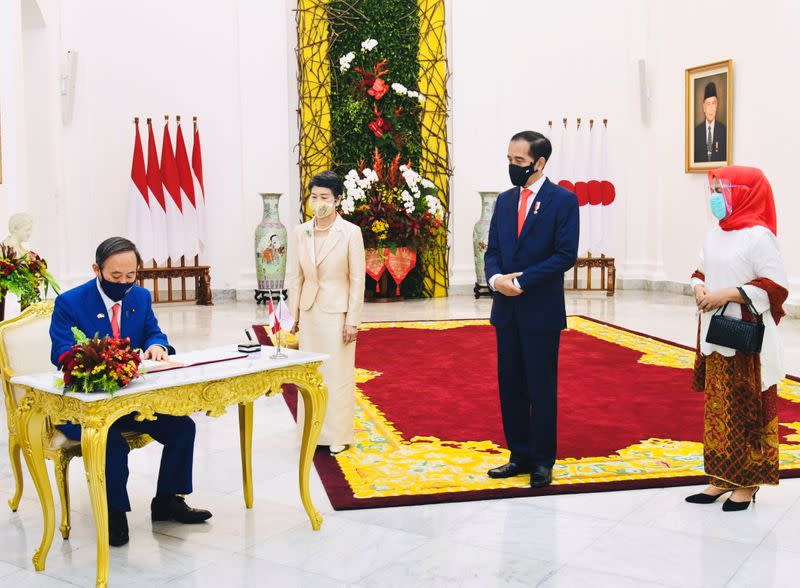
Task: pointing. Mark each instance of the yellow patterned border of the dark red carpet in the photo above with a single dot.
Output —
(383, 464)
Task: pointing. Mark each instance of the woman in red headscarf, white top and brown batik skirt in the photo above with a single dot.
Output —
(740, 264)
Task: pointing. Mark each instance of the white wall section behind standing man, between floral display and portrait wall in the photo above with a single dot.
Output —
(518, 64)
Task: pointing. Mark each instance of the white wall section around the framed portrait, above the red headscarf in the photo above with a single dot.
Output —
(763, 43)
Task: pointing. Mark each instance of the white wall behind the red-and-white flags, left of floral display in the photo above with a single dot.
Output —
(225, 62)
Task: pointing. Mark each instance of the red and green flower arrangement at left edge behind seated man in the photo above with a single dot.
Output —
(25, 276)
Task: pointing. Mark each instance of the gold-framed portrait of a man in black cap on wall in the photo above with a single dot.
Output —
(709, 116)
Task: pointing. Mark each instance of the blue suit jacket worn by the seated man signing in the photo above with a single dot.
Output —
(83, 307)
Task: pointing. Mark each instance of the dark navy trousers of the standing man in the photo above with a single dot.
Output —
(527, 373)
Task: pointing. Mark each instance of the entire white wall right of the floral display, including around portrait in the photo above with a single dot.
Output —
(517, 64)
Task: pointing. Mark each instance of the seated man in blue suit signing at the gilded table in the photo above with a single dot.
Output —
(112, 304)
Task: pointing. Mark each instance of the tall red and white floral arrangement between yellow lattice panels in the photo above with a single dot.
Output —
(393, 204)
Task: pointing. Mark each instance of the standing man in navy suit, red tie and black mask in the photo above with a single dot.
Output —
(533, 241)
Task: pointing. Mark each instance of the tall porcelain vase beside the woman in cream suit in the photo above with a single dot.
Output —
(270, 243)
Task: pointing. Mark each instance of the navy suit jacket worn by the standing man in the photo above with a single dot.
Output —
(545, 249)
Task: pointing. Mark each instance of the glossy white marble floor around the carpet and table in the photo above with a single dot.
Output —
(615, 539)
